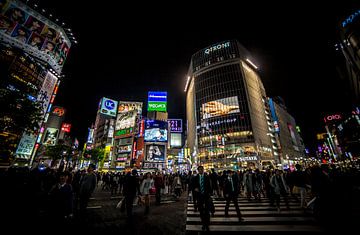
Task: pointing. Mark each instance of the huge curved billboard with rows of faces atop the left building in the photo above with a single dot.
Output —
(25, 28)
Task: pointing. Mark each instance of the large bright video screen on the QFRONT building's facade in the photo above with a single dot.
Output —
(220, 107)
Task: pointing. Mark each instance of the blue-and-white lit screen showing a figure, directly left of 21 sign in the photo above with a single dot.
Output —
(155, 131)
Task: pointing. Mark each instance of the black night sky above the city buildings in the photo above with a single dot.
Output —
(126, 50)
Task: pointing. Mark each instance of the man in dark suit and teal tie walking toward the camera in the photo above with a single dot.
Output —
(202, 187)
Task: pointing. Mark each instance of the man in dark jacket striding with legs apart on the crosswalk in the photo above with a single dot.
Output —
(231, 192)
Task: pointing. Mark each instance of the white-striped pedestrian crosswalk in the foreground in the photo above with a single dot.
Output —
(259, 216)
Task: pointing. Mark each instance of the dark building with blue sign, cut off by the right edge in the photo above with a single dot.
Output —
(349, 45)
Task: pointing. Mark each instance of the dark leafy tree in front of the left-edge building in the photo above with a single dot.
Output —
(19, 113)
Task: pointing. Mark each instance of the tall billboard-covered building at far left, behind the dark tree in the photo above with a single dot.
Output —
(33, 50)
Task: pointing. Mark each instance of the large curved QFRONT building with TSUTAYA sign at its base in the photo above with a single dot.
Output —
(225, 109)
